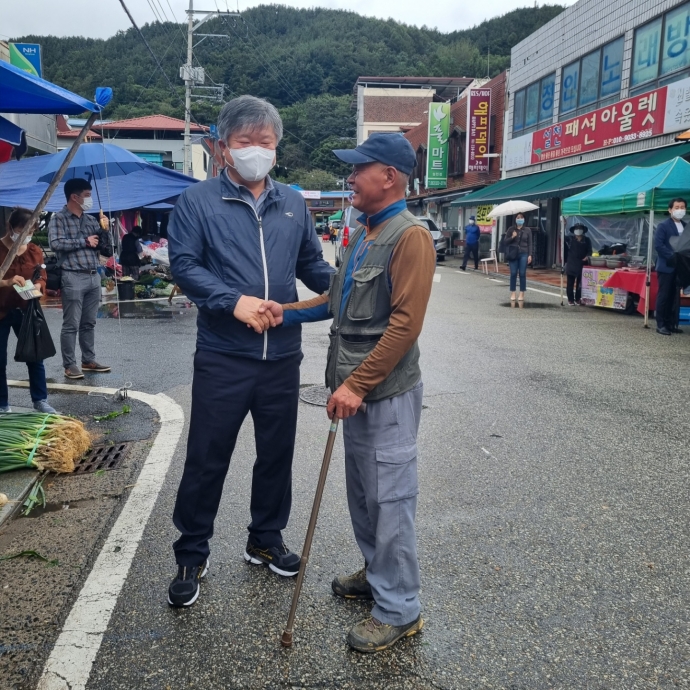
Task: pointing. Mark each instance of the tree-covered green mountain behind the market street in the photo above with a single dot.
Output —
(305, 61)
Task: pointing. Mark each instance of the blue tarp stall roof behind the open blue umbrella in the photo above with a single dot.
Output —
(152, 184)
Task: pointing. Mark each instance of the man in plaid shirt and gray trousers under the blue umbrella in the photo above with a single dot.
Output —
(73, 236)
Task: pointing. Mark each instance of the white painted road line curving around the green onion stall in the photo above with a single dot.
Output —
(69, 664)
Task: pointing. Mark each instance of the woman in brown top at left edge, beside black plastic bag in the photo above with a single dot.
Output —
(12, 307)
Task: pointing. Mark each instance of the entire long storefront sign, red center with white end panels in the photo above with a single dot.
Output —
(651, 114)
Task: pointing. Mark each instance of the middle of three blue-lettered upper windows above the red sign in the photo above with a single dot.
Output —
(592, 81)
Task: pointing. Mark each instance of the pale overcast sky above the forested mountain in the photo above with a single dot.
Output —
(103, 18)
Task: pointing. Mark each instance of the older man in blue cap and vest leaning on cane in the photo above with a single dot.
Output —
(377, 301)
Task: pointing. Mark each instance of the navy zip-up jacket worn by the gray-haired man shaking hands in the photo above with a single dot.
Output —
(220, 249)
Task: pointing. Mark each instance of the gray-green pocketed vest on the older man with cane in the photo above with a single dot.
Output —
(356, 330)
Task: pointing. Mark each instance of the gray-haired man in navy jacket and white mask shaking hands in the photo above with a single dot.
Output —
(236, 241)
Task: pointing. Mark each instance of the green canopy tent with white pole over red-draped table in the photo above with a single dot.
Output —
(634, 190)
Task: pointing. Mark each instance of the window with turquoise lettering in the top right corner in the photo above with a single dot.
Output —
(661, 53)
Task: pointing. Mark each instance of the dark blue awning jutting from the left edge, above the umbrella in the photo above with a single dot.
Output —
(21, 92)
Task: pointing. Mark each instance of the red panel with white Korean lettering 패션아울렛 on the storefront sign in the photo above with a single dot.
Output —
(633, 119)
